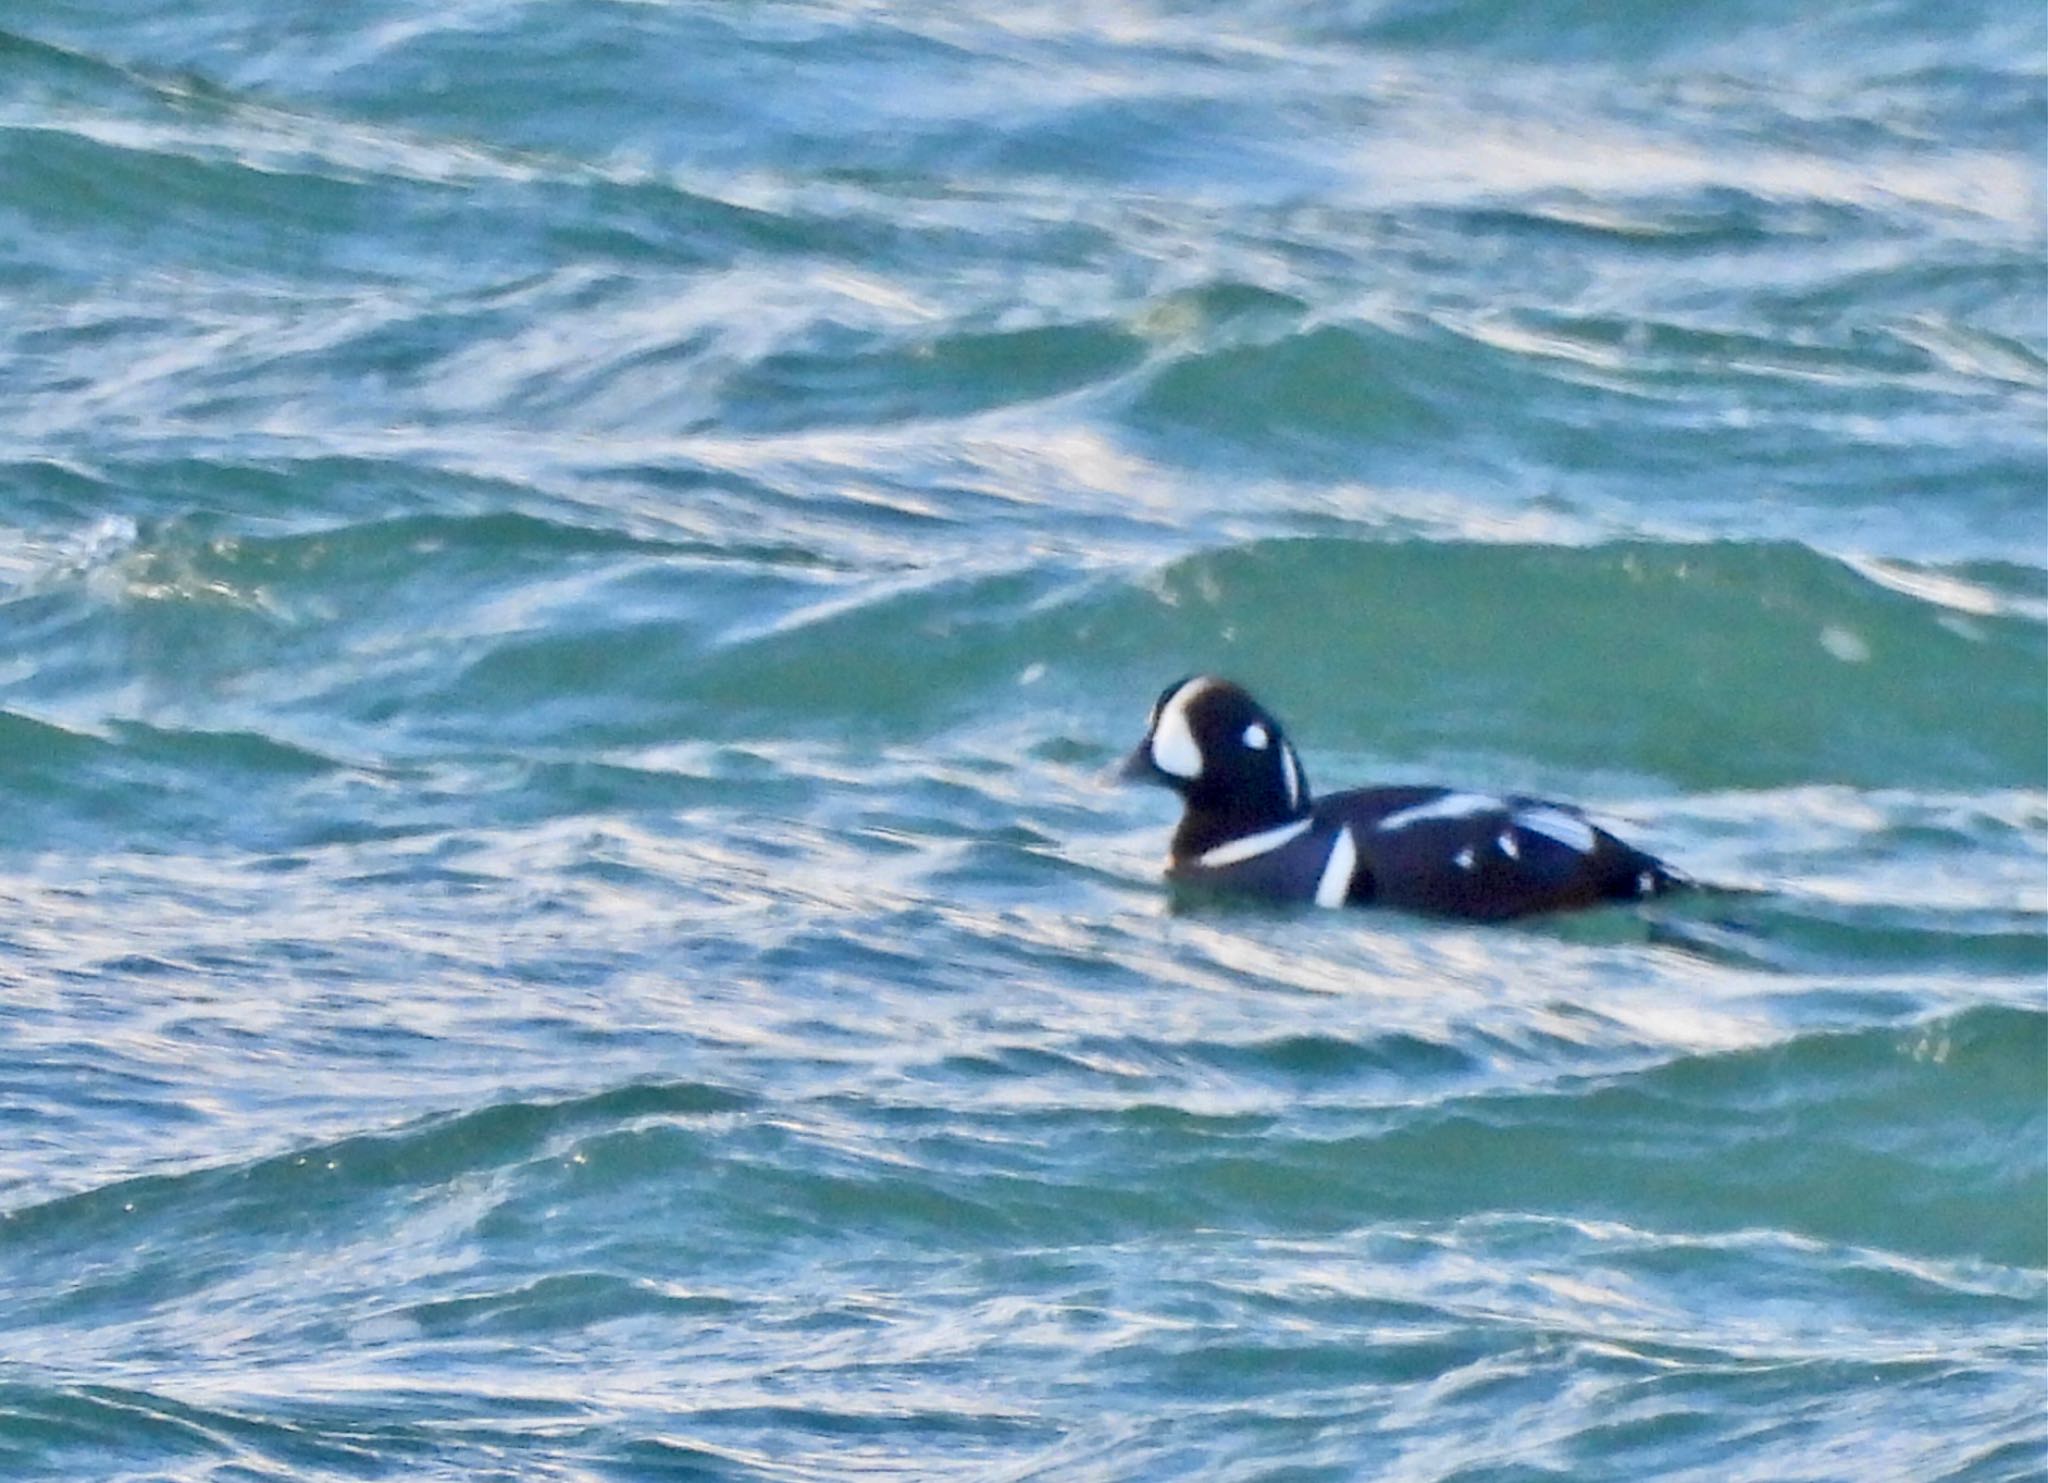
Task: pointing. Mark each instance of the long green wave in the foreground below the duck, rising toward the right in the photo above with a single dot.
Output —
(1920, 1140)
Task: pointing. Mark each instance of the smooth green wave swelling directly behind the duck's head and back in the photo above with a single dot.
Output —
(1695, 665)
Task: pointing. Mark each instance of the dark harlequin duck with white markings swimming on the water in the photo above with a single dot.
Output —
(1252, 829)
